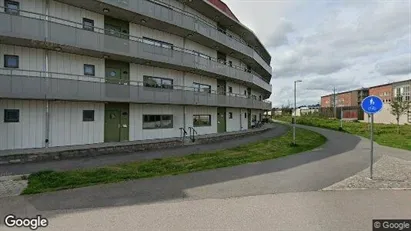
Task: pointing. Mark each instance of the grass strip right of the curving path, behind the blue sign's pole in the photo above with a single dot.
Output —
(384, 134)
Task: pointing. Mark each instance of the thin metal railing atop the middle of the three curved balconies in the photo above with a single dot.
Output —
(204, 59)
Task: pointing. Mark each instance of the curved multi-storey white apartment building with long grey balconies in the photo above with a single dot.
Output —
(83, 72)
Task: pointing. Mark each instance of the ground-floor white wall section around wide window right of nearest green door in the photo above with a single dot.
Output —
(136, 121)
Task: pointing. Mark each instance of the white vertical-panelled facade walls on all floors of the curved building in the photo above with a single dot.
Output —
(64, 123)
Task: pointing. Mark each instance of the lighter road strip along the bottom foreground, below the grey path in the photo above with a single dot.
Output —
(339, 211)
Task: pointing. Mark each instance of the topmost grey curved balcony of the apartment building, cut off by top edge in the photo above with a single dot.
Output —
(180, 22)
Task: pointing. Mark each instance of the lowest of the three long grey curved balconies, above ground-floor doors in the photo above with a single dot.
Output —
(26, 84)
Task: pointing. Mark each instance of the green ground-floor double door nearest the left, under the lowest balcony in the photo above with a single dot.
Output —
(116, 122)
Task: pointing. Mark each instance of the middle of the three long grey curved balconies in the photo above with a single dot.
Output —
(32, 29)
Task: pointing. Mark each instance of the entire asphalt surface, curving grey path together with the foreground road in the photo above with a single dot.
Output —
(280, 194)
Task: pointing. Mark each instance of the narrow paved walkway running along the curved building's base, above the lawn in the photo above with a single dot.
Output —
(98, 161)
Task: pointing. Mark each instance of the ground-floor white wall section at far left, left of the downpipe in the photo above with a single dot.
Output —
(29, 131)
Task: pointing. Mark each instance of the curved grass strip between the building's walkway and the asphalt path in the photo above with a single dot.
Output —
(46, 181)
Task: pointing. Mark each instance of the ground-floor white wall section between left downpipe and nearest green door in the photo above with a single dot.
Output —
(68, 128)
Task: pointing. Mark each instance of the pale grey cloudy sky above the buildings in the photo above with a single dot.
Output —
(346, 44)
